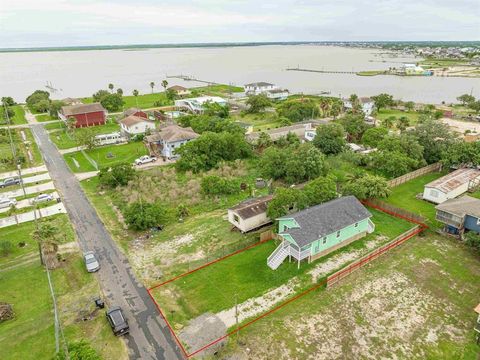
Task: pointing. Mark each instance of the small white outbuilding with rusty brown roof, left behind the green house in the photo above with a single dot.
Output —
(250, 214)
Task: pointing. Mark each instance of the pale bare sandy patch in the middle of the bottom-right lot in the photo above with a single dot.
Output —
(388, 314)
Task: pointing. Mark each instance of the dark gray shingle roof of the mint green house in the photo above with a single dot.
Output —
(324, 219)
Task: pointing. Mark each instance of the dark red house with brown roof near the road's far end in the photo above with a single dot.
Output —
(85, 114)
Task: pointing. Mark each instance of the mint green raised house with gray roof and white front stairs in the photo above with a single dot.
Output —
(316, 231)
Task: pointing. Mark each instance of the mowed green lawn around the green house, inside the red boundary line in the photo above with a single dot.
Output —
(246, 275)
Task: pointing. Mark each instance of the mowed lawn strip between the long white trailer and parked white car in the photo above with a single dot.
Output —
(105, 156)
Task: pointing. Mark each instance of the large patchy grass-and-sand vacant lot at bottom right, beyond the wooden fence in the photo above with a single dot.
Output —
(414, 303)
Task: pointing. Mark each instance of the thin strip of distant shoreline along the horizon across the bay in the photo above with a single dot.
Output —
(375, 44)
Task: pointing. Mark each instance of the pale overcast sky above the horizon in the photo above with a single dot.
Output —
(38, 23)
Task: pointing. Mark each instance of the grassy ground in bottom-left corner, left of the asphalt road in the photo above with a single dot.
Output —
(24, 285)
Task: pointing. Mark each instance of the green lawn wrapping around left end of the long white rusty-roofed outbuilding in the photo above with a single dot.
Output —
(404, 196)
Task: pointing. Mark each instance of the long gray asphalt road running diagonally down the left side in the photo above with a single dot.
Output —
(149, 336)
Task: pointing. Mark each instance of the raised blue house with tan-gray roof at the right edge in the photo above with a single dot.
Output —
(460, 215)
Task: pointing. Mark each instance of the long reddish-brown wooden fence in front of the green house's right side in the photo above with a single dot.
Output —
(347, 270)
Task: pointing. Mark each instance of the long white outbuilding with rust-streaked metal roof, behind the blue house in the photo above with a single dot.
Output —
(452, 185)
